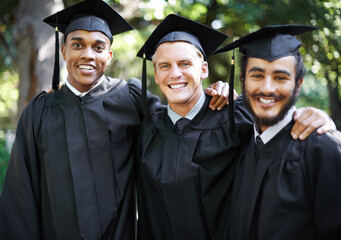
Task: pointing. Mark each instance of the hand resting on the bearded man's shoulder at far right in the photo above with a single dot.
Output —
(307, 120)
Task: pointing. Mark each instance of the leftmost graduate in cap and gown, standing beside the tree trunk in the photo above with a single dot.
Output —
(71, 172)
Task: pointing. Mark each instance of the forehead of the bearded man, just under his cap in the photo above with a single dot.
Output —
(287, 63)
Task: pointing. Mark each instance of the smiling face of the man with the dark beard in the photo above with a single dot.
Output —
(270, 89)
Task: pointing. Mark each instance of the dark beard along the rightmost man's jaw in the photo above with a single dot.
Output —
(267, 122)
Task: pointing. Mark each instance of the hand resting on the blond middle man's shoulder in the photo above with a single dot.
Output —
(220, 95)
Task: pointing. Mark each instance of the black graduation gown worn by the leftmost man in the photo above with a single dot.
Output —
(71, 172)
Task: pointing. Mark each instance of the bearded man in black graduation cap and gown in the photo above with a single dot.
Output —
(284, 188)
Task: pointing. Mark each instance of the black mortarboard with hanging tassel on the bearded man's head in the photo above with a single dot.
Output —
(269, 43)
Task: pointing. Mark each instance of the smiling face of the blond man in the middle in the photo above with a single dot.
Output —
(179, 71)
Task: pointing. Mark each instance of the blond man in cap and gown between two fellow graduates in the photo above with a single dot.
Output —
(187, 168)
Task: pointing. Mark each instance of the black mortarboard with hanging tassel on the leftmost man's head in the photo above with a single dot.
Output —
(89, 15)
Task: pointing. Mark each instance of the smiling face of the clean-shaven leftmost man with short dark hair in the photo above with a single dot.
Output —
(87, 55)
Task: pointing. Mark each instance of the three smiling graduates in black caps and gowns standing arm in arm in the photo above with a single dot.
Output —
(101, 158)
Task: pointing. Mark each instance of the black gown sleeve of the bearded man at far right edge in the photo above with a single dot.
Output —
(322, 170)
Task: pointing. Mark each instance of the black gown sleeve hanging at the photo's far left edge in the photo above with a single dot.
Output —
(19, 201)
